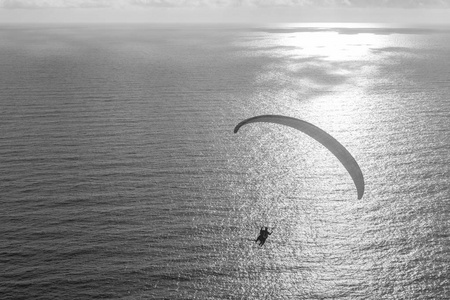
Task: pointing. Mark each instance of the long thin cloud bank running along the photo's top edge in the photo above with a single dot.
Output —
(35, 4)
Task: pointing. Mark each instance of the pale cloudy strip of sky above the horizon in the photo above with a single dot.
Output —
(224, 11)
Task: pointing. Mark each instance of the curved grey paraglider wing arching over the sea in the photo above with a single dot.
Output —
(322, 137)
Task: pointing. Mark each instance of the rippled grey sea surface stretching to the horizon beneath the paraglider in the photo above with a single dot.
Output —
(121, 177)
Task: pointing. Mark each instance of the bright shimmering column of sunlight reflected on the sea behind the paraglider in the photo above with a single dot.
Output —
(325, 76)
